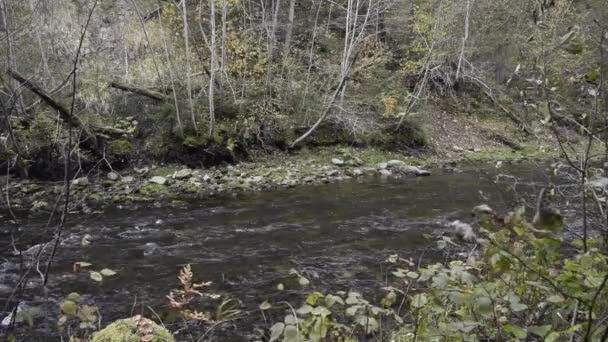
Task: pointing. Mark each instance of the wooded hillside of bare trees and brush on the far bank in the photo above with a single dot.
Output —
(201, 82)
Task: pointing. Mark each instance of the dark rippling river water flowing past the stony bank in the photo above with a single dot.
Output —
(335, 234)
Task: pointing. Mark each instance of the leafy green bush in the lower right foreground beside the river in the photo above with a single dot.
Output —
(521, 288)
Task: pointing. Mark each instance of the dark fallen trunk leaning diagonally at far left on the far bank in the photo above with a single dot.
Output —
(90, 141)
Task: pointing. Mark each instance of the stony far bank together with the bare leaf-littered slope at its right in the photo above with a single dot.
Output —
(453, 142)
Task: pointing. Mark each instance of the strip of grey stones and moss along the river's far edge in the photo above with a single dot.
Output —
(173, 185)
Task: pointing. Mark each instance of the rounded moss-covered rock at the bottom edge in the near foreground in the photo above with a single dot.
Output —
(133, 329)
